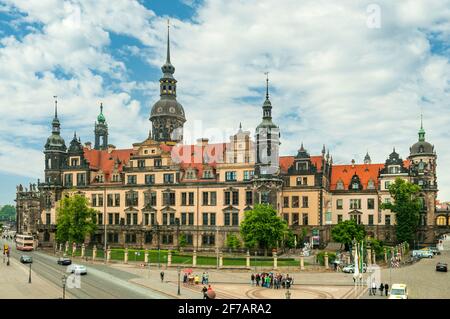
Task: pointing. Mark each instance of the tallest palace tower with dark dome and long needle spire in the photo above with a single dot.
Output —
(167, 115)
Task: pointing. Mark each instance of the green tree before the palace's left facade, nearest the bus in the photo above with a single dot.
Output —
(75, 219)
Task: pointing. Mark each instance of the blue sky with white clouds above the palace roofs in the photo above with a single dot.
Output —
(353, 75)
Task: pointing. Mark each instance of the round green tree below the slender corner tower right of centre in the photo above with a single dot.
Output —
(262, 227)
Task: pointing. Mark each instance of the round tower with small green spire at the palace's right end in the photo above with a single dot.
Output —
(423, 173)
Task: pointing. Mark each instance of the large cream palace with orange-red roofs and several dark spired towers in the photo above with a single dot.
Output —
(159, 188)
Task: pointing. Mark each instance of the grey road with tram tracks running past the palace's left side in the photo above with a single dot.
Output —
(101, 282)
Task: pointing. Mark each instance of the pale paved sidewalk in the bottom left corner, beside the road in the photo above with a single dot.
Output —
(14, 283)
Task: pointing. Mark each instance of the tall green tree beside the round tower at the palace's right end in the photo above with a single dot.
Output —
(406, 206)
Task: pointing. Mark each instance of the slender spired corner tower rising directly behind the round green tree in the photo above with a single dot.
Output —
(267, 181)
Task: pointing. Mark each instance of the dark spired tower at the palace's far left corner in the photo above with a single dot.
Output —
(55, 152)
